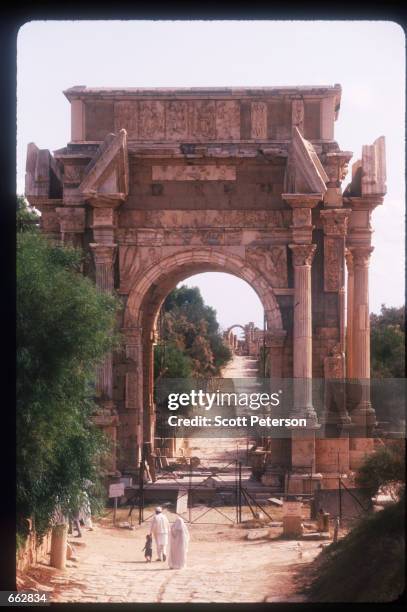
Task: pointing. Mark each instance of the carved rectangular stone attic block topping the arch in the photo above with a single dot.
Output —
(199, 114)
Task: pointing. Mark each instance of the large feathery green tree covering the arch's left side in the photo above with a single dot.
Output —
(64, 328)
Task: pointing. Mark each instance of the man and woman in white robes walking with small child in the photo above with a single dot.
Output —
(176, 536)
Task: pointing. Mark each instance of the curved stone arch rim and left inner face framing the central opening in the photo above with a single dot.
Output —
(146, 297)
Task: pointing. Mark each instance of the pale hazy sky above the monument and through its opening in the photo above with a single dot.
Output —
(366, 58)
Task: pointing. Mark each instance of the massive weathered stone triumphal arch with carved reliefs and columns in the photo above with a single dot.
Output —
(160, 184)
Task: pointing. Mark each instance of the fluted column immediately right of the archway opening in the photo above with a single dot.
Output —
(303, 255)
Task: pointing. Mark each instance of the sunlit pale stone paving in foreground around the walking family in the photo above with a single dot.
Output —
(222, 567)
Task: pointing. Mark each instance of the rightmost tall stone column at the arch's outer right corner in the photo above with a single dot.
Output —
(363, 413)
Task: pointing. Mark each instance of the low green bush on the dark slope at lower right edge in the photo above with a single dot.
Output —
(384, 467)
